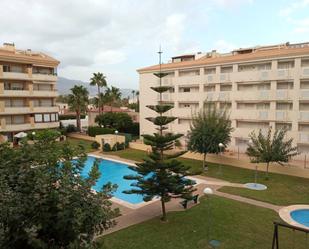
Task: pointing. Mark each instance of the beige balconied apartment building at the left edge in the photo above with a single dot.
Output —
(27, 91)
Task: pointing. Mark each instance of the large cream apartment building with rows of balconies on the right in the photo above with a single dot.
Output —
(260, 86)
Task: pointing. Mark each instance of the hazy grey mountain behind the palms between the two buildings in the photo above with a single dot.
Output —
(64, 85)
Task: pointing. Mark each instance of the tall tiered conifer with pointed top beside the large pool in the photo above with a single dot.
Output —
(160, 174)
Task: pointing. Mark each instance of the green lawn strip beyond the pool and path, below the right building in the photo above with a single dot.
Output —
(282, 189)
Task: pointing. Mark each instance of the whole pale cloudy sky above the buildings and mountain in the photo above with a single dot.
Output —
(117, 37)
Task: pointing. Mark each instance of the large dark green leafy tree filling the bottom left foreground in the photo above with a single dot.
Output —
(44, 200)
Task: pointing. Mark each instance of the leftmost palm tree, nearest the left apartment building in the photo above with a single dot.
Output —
(78, 101)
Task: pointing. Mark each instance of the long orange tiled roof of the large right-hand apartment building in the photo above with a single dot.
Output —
(256, 55)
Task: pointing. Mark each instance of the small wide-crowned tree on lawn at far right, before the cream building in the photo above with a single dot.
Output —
(271, 148)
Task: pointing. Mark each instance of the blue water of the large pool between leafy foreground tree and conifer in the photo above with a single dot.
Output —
(113, 172)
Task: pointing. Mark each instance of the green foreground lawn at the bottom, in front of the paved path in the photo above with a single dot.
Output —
(236, 225)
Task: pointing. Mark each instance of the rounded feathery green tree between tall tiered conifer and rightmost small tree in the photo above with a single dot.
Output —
(209, 128)
